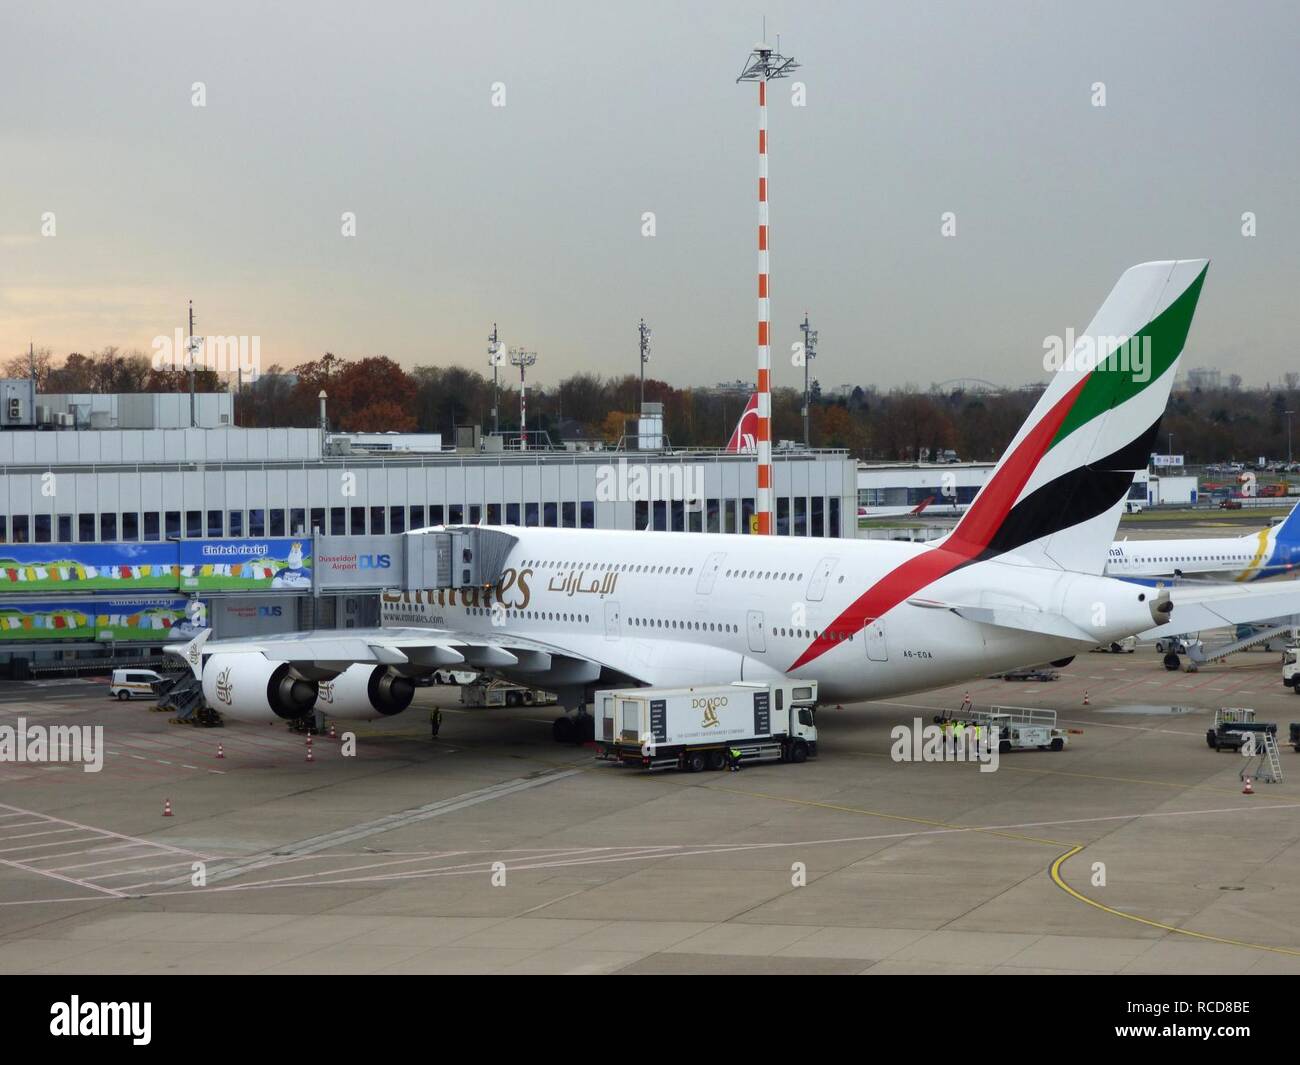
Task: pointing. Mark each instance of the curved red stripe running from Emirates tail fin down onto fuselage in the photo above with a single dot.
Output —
(969, 539)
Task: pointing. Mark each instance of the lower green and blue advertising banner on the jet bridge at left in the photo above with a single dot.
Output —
(125, 621)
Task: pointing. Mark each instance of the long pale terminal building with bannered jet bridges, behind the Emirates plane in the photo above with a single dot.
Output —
(114, 542)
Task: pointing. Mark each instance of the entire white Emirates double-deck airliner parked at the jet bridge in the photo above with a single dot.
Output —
(1020, 579)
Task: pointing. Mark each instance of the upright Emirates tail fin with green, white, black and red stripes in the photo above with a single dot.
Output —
(1056, 495)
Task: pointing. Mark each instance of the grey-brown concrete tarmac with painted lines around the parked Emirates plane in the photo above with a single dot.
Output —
(495, 850)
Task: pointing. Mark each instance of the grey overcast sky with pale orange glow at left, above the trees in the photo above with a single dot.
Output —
(530, 215)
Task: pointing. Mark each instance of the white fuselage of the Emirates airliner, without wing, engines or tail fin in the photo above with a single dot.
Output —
(675, 611)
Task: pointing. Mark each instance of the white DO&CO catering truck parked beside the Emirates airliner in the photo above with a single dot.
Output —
(697, 729)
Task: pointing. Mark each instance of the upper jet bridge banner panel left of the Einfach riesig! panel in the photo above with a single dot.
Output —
(89, 568)
